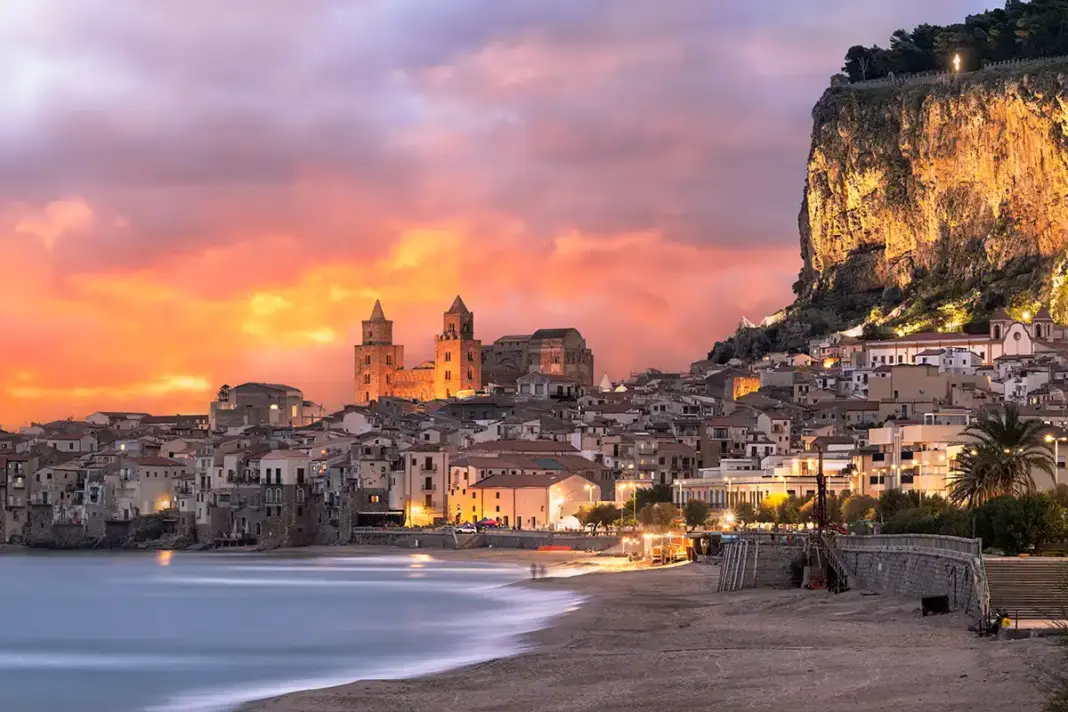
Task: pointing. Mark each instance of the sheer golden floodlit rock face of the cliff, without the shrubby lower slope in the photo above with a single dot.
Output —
(951, 181)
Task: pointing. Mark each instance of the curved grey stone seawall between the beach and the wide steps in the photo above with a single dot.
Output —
(915, 573)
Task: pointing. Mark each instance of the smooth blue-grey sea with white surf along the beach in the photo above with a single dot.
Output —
(207, 632)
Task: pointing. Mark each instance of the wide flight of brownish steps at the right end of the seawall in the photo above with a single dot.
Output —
(1029, 589)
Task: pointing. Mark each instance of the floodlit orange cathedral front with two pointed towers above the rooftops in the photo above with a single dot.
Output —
(457, 370)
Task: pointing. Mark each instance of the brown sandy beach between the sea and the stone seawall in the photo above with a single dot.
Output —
(665, 640)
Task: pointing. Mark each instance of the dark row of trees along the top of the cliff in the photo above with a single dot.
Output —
(1023, 30)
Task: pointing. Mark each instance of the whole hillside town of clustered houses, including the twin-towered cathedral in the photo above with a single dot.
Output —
(519, 433)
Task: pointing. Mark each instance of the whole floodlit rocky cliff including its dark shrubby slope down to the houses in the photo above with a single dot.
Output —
(929, 204)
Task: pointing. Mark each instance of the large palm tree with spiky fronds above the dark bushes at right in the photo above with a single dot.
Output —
(1004, 451)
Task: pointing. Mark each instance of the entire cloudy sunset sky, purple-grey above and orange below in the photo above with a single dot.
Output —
(202, 193)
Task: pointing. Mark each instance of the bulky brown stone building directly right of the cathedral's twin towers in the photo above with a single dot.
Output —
(552, 352)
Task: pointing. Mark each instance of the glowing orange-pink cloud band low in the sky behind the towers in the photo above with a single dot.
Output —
(163, 339)
